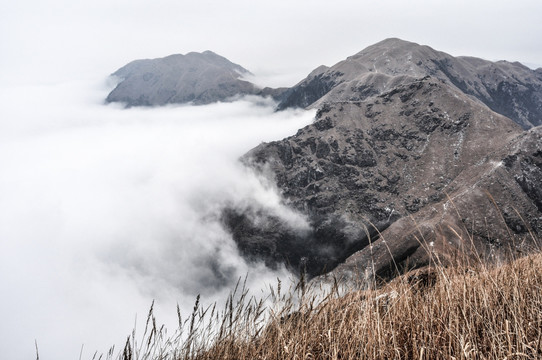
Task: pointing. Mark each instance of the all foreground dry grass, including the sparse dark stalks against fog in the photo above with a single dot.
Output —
(465, 312)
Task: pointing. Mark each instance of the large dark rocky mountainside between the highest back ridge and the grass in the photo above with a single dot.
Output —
(395, 170)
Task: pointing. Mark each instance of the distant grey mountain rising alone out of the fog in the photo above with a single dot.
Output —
(198, 78)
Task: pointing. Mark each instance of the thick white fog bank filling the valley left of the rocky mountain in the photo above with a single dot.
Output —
(104, 209)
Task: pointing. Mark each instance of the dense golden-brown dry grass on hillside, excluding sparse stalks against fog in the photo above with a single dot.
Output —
(474, 314)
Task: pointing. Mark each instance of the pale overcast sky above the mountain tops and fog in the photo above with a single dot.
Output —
(48, 40)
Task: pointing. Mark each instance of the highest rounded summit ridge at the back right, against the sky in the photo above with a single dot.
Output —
(510, 89)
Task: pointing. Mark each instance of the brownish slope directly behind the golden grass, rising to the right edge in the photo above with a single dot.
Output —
(490, 212)
